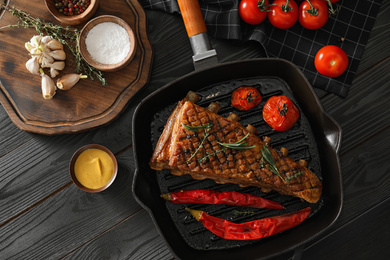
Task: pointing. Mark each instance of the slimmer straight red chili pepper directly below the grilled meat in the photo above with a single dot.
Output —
(234, 198)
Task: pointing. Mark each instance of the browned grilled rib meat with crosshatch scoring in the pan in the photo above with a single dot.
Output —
(183, 151)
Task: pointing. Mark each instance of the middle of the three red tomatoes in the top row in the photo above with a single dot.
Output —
(283, 15)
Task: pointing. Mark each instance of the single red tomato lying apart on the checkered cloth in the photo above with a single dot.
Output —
(331, 61)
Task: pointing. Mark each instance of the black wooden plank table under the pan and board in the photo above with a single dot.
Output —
(45, 216)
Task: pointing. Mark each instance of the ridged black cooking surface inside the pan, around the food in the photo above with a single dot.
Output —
(299, 140)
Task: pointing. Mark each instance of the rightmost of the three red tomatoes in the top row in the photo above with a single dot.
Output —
(313, 16)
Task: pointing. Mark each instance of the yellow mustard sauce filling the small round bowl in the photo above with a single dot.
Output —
(94, 168)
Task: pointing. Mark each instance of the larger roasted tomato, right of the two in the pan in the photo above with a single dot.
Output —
(280, 113)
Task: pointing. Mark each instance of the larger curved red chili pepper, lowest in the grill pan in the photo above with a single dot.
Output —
(250, 230)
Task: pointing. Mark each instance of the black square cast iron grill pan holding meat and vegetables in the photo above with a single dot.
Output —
(315, 138)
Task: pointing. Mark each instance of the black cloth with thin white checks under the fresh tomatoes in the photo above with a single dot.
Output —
(349, 29)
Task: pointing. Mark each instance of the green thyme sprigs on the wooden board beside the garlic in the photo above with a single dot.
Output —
(66, 36)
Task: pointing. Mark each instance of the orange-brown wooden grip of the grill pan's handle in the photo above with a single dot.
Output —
(192, 17)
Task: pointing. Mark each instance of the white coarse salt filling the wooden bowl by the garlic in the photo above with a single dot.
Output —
(108, 43)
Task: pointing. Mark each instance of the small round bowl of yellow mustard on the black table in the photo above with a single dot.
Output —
(93, 168)
